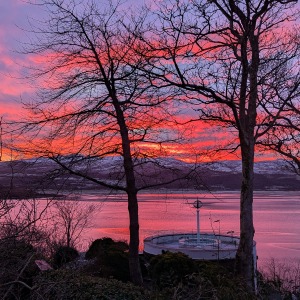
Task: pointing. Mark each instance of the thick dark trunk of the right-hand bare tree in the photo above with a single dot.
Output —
(245, 259)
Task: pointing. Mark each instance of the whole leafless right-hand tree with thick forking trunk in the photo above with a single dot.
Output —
(237, 62)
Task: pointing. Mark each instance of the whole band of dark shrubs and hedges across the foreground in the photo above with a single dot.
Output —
(103, 273)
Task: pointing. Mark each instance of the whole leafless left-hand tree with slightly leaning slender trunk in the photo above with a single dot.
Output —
(94, 102)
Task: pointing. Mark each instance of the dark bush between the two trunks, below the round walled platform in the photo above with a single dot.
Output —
(179, 277)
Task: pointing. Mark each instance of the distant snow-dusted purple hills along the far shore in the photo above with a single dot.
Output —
(25, 177)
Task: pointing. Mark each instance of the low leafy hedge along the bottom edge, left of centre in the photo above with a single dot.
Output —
(67, 284)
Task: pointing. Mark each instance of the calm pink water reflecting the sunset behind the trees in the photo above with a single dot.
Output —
(276, 217)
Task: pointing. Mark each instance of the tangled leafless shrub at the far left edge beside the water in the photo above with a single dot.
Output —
(21, 238)
